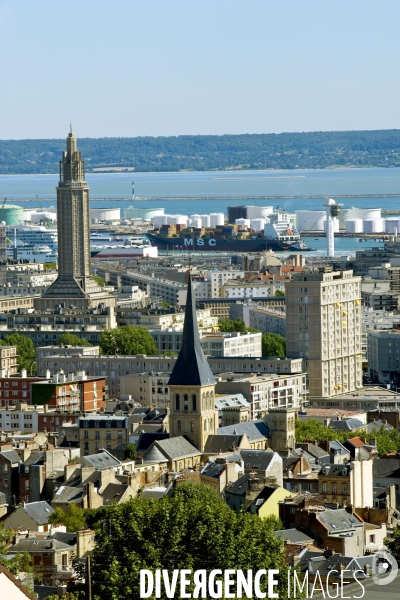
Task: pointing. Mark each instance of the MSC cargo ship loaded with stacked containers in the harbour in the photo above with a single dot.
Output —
(278, 235)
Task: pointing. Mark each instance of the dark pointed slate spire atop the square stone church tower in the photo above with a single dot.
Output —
(191, 367)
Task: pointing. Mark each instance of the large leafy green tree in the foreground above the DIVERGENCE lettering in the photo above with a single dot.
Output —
(195, 530)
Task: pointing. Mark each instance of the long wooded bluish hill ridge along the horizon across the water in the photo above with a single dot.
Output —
(317, 150)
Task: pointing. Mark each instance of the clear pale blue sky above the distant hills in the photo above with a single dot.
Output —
(173, 67)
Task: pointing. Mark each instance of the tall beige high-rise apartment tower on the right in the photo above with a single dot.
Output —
(323, 324)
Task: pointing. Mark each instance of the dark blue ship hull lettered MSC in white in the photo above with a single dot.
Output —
(211, 244)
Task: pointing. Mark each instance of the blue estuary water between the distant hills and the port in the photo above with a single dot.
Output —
(158, 187)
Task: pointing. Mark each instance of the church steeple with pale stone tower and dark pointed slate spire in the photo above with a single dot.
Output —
(192, 385)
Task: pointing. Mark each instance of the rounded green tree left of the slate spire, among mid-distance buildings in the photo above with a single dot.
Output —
(127, 341)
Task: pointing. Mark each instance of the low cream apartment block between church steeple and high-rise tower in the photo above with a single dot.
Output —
(265, 392)
